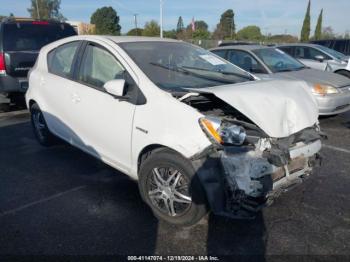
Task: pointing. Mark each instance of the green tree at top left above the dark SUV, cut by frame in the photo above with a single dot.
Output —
(47, 9)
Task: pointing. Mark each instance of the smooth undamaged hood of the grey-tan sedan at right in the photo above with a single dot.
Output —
(314, 76)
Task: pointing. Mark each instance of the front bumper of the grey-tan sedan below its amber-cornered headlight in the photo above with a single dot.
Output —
(334, 104)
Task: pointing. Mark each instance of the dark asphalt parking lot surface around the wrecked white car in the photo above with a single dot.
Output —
(61, 201)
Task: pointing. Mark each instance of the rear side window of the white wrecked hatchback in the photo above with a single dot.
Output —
(60, 60)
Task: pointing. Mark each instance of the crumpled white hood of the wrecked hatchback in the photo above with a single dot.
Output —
(279, 107)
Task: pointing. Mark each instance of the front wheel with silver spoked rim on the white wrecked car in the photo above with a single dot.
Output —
(182, 186)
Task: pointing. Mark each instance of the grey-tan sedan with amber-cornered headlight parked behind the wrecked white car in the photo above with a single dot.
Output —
(332, 91)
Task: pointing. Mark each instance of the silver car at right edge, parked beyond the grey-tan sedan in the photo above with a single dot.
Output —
(319, 57)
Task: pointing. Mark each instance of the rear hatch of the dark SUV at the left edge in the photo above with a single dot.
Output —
(22, 42)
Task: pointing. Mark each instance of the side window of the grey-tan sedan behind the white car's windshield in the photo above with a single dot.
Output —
(245, 61)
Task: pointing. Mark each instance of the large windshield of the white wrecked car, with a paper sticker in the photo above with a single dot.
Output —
(175, 66)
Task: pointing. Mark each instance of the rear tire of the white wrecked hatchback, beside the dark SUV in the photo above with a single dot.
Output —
(41, 131)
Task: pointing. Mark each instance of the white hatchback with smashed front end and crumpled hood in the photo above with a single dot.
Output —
(197, 132)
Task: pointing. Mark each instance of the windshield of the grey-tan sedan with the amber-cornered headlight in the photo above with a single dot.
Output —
(277, 60)
